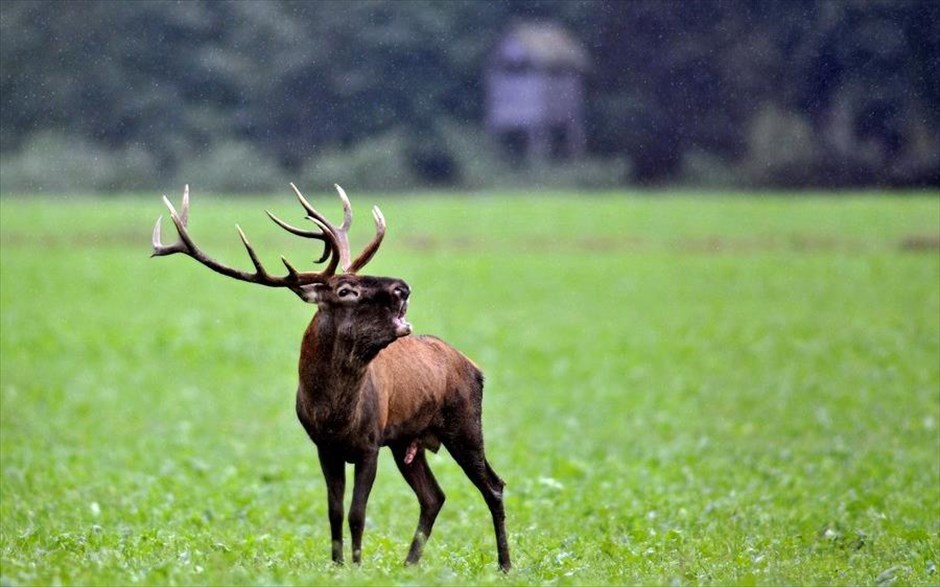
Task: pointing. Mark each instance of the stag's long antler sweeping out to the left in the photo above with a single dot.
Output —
(185, 245)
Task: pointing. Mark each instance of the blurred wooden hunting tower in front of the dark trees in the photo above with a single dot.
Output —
(535, 93)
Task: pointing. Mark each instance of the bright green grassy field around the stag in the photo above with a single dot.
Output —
(681, 390)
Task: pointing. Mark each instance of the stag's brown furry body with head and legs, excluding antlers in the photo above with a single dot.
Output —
(362, 386)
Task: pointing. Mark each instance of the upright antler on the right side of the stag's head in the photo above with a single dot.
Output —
(338, 234)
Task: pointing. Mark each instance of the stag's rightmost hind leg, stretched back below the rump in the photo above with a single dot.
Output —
(470, 457)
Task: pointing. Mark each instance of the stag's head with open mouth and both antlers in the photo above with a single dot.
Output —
(368, 309)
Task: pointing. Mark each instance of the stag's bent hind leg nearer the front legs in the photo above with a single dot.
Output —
(418, 474)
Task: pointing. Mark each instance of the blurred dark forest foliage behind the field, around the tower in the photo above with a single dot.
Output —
(388, 95)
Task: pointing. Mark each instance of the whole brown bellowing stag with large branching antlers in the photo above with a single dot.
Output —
(365, 381)
